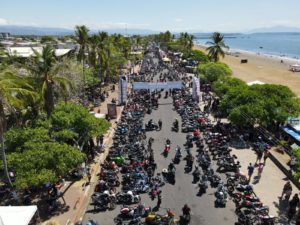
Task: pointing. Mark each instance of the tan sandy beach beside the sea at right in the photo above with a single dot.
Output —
(263, 68)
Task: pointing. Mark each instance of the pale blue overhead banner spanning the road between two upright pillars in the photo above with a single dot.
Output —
(158, 85)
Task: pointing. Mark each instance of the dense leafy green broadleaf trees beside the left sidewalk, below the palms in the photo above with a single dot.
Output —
(40, 153)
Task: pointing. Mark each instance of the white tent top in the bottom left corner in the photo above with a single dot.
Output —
(16, 215)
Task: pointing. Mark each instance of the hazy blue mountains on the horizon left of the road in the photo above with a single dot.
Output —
(40, 31)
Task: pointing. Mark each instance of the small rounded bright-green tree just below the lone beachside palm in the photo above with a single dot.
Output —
(214, 70)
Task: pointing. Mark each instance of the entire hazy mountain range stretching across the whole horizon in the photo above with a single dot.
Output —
(32, 30)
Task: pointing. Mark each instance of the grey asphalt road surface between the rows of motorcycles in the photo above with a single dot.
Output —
(175, 196)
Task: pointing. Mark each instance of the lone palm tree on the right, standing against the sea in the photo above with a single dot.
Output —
(215, 50)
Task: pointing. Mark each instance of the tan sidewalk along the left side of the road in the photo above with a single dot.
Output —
(77, 194)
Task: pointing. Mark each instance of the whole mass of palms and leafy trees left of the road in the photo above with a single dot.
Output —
(40, 148)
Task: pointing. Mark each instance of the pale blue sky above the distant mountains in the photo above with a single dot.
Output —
(156, 15)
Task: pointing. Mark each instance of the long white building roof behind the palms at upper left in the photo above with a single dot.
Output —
(26, 52)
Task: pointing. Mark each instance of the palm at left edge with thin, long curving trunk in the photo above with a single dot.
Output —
(12, 88)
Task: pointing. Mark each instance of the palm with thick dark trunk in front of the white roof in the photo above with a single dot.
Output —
(44, 68)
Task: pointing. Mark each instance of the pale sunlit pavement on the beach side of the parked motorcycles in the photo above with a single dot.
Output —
(270, 185)
